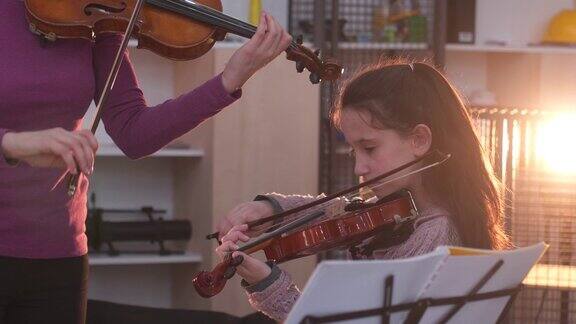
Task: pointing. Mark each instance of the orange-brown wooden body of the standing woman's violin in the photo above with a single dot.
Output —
(166, 33)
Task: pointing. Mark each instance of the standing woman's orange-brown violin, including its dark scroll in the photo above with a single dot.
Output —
(176, 29)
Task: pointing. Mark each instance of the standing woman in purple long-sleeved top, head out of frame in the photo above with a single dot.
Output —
(45, 90)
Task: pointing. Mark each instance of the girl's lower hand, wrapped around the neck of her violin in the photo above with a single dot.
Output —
(251, 269)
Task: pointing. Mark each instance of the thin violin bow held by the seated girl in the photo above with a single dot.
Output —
(440, 157)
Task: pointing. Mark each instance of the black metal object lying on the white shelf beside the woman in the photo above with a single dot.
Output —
(154, 230)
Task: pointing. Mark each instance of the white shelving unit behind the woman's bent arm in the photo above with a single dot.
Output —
(121, 183)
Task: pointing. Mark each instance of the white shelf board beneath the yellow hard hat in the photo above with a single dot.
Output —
(510, 49)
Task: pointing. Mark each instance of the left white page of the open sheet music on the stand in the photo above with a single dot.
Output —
(341, 286)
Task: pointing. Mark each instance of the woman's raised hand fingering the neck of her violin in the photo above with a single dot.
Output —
(267, 43)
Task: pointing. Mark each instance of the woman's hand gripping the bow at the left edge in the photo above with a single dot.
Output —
(52, 148)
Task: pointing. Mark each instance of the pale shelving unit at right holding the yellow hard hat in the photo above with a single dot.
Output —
(522, 73)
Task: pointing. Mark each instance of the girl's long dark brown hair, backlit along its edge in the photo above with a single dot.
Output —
(400, 95)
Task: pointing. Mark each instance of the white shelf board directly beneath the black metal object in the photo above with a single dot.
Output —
(143, 259)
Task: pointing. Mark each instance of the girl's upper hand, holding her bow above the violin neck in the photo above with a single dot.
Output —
(245, 213)
